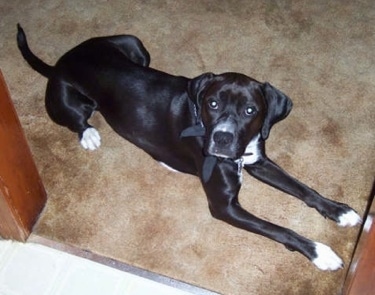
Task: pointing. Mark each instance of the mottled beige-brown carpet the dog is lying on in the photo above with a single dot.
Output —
(119, 203)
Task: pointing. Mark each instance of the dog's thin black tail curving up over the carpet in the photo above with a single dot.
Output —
(35, 62)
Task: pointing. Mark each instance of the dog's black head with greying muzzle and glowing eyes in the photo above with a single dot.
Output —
(234, 109)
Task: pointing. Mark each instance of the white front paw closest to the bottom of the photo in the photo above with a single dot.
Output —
(326, 259)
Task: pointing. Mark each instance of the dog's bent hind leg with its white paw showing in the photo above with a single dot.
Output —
(66, 106)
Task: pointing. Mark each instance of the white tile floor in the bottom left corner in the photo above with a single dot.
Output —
(33, 269)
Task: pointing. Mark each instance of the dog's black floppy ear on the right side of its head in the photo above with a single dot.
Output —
(278, 107)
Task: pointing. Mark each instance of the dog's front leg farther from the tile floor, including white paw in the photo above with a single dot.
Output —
(270, 173)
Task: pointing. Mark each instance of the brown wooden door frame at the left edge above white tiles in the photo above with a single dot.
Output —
(22, 195)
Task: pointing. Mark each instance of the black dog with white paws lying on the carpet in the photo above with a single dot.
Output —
(211, 126)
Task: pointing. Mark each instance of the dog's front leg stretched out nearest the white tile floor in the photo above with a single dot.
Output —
(222, 192)
